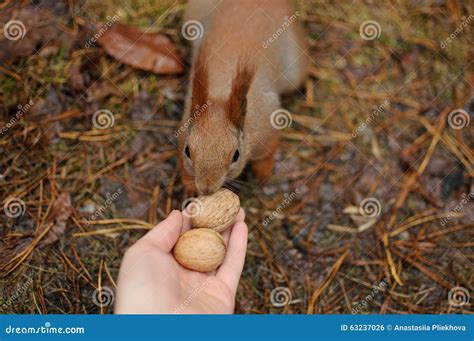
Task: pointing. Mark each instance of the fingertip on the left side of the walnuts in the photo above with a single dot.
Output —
(165, 234)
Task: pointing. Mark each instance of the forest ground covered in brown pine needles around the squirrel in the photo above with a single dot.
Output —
(369, 209)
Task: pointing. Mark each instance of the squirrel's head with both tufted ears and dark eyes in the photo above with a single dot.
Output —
(214, 148)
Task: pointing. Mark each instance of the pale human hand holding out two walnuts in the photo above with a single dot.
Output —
(151, 281)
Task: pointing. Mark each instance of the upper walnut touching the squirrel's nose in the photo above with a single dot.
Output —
(216, 211)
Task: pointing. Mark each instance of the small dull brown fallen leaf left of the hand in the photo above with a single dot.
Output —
(60, 213)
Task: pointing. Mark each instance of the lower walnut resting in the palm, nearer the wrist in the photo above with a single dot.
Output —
(200, 250)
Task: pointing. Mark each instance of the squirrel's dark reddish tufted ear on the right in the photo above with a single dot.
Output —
(237, 104)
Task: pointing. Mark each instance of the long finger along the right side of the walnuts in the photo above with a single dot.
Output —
(231, 269)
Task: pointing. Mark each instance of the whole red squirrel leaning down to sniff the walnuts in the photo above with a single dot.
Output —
(247, 54)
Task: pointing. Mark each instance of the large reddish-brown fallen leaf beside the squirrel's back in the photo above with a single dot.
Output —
(153, 52)
